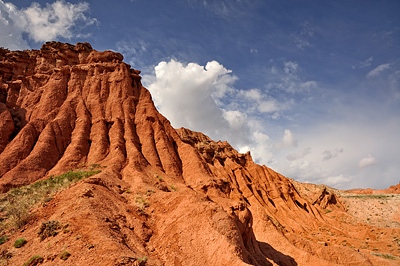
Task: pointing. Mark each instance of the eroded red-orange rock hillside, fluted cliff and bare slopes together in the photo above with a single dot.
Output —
(164, 196)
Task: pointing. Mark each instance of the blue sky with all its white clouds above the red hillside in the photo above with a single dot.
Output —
(311, 88)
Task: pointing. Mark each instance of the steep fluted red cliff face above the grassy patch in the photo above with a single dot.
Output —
(65, 106)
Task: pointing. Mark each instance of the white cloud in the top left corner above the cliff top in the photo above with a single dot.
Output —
(58, 19)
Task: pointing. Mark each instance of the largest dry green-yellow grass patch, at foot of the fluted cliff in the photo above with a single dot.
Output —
(17, 203)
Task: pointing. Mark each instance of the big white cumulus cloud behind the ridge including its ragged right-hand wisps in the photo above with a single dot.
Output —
(203, 98)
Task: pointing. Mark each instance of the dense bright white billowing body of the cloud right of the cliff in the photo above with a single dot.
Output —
(189, 95)
